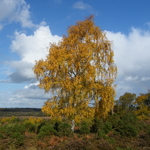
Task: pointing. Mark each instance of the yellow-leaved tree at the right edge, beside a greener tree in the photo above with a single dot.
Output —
(143, 106)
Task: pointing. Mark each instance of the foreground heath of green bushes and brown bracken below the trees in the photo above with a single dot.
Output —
(117, 132)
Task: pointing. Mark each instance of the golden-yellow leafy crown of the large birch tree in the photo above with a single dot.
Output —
(79, 69)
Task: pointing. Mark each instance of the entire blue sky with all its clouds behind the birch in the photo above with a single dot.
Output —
(27, 27)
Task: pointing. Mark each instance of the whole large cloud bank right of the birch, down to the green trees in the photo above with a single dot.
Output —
(132, 59)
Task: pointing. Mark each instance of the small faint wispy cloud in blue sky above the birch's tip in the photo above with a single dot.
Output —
(82, 6)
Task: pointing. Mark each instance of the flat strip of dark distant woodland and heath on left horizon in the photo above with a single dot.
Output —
(4, 112)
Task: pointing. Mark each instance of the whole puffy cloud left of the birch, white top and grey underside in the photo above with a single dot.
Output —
(30, 48)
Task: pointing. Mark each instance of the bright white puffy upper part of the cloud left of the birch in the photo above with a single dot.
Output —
(33, 47)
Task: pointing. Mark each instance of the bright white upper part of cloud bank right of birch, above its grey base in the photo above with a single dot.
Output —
(131, 51)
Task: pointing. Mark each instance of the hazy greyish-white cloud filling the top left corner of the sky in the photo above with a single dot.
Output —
(15, 11)
